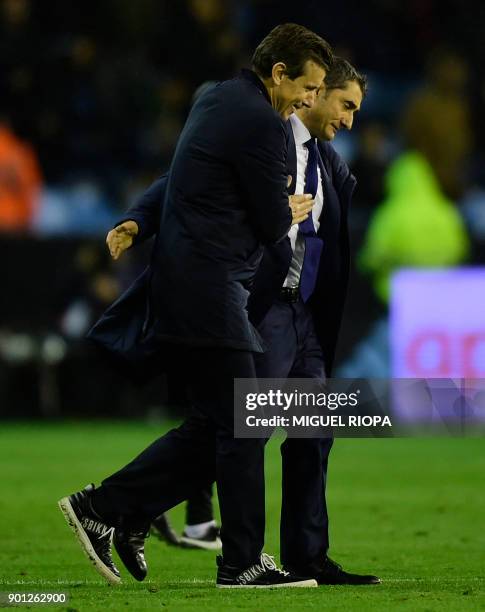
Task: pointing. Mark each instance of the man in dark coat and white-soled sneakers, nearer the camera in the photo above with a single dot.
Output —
(226, 197)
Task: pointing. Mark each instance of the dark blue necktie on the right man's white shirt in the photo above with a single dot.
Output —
(313, 244)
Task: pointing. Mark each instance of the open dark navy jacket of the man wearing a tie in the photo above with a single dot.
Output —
(327, 302)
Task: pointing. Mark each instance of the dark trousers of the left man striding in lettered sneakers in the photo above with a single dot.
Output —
(183, 461)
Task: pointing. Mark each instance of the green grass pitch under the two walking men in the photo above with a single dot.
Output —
(411, 511)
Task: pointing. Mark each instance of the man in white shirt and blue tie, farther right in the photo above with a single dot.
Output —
(299, 321)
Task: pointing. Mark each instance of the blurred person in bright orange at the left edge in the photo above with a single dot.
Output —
(20, 182)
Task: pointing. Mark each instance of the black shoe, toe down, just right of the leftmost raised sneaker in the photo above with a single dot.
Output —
(129, 540)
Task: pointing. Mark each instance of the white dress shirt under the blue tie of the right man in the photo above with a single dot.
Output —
(301, 135)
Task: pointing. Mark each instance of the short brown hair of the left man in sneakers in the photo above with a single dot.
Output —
(293, 45)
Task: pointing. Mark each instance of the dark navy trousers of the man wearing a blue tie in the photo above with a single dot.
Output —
(293, 351)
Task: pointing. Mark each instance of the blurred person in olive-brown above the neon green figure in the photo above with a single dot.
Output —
(437, 120)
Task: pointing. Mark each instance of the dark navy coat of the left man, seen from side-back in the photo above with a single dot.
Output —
(224, 198)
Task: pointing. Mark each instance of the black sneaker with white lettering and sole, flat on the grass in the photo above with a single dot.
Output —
(262, 575)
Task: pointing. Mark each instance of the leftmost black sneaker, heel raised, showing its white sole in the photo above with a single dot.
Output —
(93, 533)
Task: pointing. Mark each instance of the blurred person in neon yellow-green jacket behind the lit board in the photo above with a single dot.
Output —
(416, 226)
